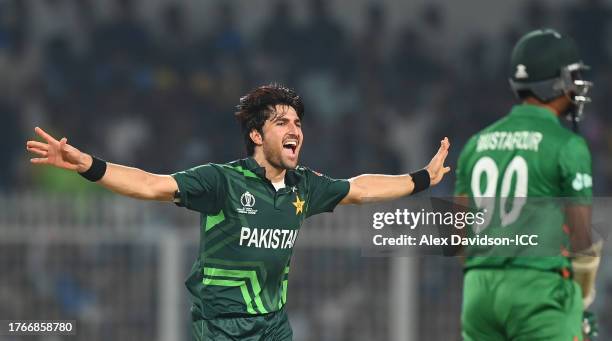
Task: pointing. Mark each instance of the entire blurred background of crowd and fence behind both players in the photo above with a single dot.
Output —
(154, 84)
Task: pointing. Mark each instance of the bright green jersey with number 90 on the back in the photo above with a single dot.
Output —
(515, 171)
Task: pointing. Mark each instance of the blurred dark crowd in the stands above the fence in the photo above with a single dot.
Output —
(376, 100)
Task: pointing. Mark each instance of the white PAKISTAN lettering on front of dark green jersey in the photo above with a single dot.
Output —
(268, 238)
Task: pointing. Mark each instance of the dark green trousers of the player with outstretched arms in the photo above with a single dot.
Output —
(269, 327)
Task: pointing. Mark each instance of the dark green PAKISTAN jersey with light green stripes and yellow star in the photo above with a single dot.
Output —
(247, 233)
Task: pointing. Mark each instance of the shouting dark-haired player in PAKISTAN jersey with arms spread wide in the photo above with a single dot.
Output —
(251, 211)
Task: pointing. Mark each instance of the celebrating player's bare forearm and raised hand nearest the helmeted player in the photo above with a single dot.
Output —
(375, 187)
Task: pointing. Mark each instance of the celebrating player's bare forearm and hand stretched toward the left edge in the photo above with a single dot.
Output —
(128, 181)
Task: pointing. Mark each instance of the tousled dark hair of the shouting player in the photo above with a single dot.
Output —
(257, 106)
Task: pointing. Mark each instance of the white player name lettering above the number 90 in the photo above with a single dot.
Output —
(509, 140)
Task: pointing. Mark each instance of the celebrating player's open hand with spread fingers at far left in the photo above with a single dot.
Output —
(57, 153)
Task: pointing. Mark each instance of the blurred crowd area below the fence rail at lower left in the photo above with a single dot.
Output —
(89, 284)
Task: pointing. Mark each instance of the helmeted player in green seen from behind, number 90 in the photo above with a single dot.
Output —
(529, 154)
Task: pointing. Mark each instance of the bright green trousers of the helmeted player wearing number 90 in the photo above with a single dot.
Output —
(520, 304)
